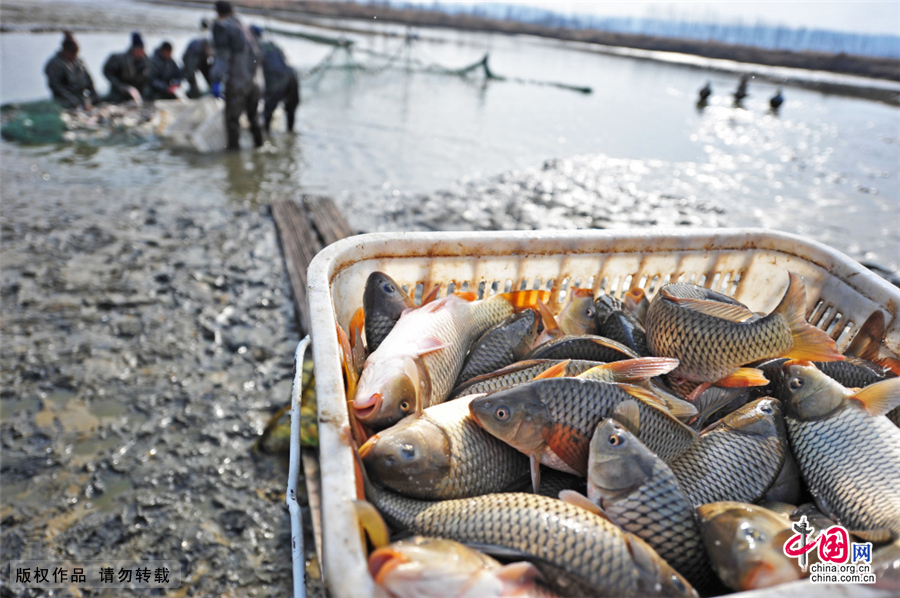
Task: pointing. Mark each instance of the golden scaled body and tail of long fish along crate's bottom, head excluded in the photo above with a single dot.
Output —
(592, 552)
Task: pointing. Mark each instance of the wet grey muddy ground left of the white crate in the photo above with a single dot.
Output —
(146, 343)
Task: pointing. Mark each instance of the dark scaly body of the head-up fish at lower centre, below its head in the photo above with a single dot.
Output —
(659, 512)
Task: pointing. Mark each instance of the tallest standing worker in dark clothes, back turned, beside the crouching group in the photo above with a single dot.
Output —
(237, 59)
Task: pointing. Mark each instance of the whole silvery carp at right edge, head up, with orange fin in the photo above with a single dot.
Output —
(846, 449)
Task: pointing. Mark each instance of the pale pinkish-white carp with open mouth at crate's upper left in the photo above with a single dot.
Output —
(416, 365)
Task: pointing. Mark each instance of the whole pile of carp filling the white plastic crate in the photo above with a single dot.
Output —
(618, 448)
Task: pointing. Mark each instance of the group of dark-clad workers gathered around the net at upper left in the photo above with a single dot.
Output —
(229, 63)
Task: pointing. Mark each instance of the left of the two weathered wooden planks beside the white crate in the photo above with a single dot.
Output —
(299, 243)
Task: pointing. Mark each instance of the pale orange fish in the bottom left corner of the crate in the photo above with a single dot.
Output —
(435, 567)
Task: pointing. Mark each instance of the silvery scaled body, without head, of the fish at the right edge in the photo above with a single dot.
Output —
(862, 493)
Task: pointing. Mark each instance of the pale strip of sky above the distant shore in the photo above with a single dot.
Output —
(856, 16)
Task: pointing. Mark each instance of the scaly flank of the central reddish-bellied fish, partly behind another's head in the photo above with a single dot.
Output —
(582, 404)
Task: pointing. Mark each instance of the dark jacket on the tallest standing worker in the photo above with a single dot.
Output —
(237, 55)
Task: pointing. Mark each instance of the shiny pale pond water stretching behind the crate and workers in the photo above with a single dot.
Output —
(825, 167)
